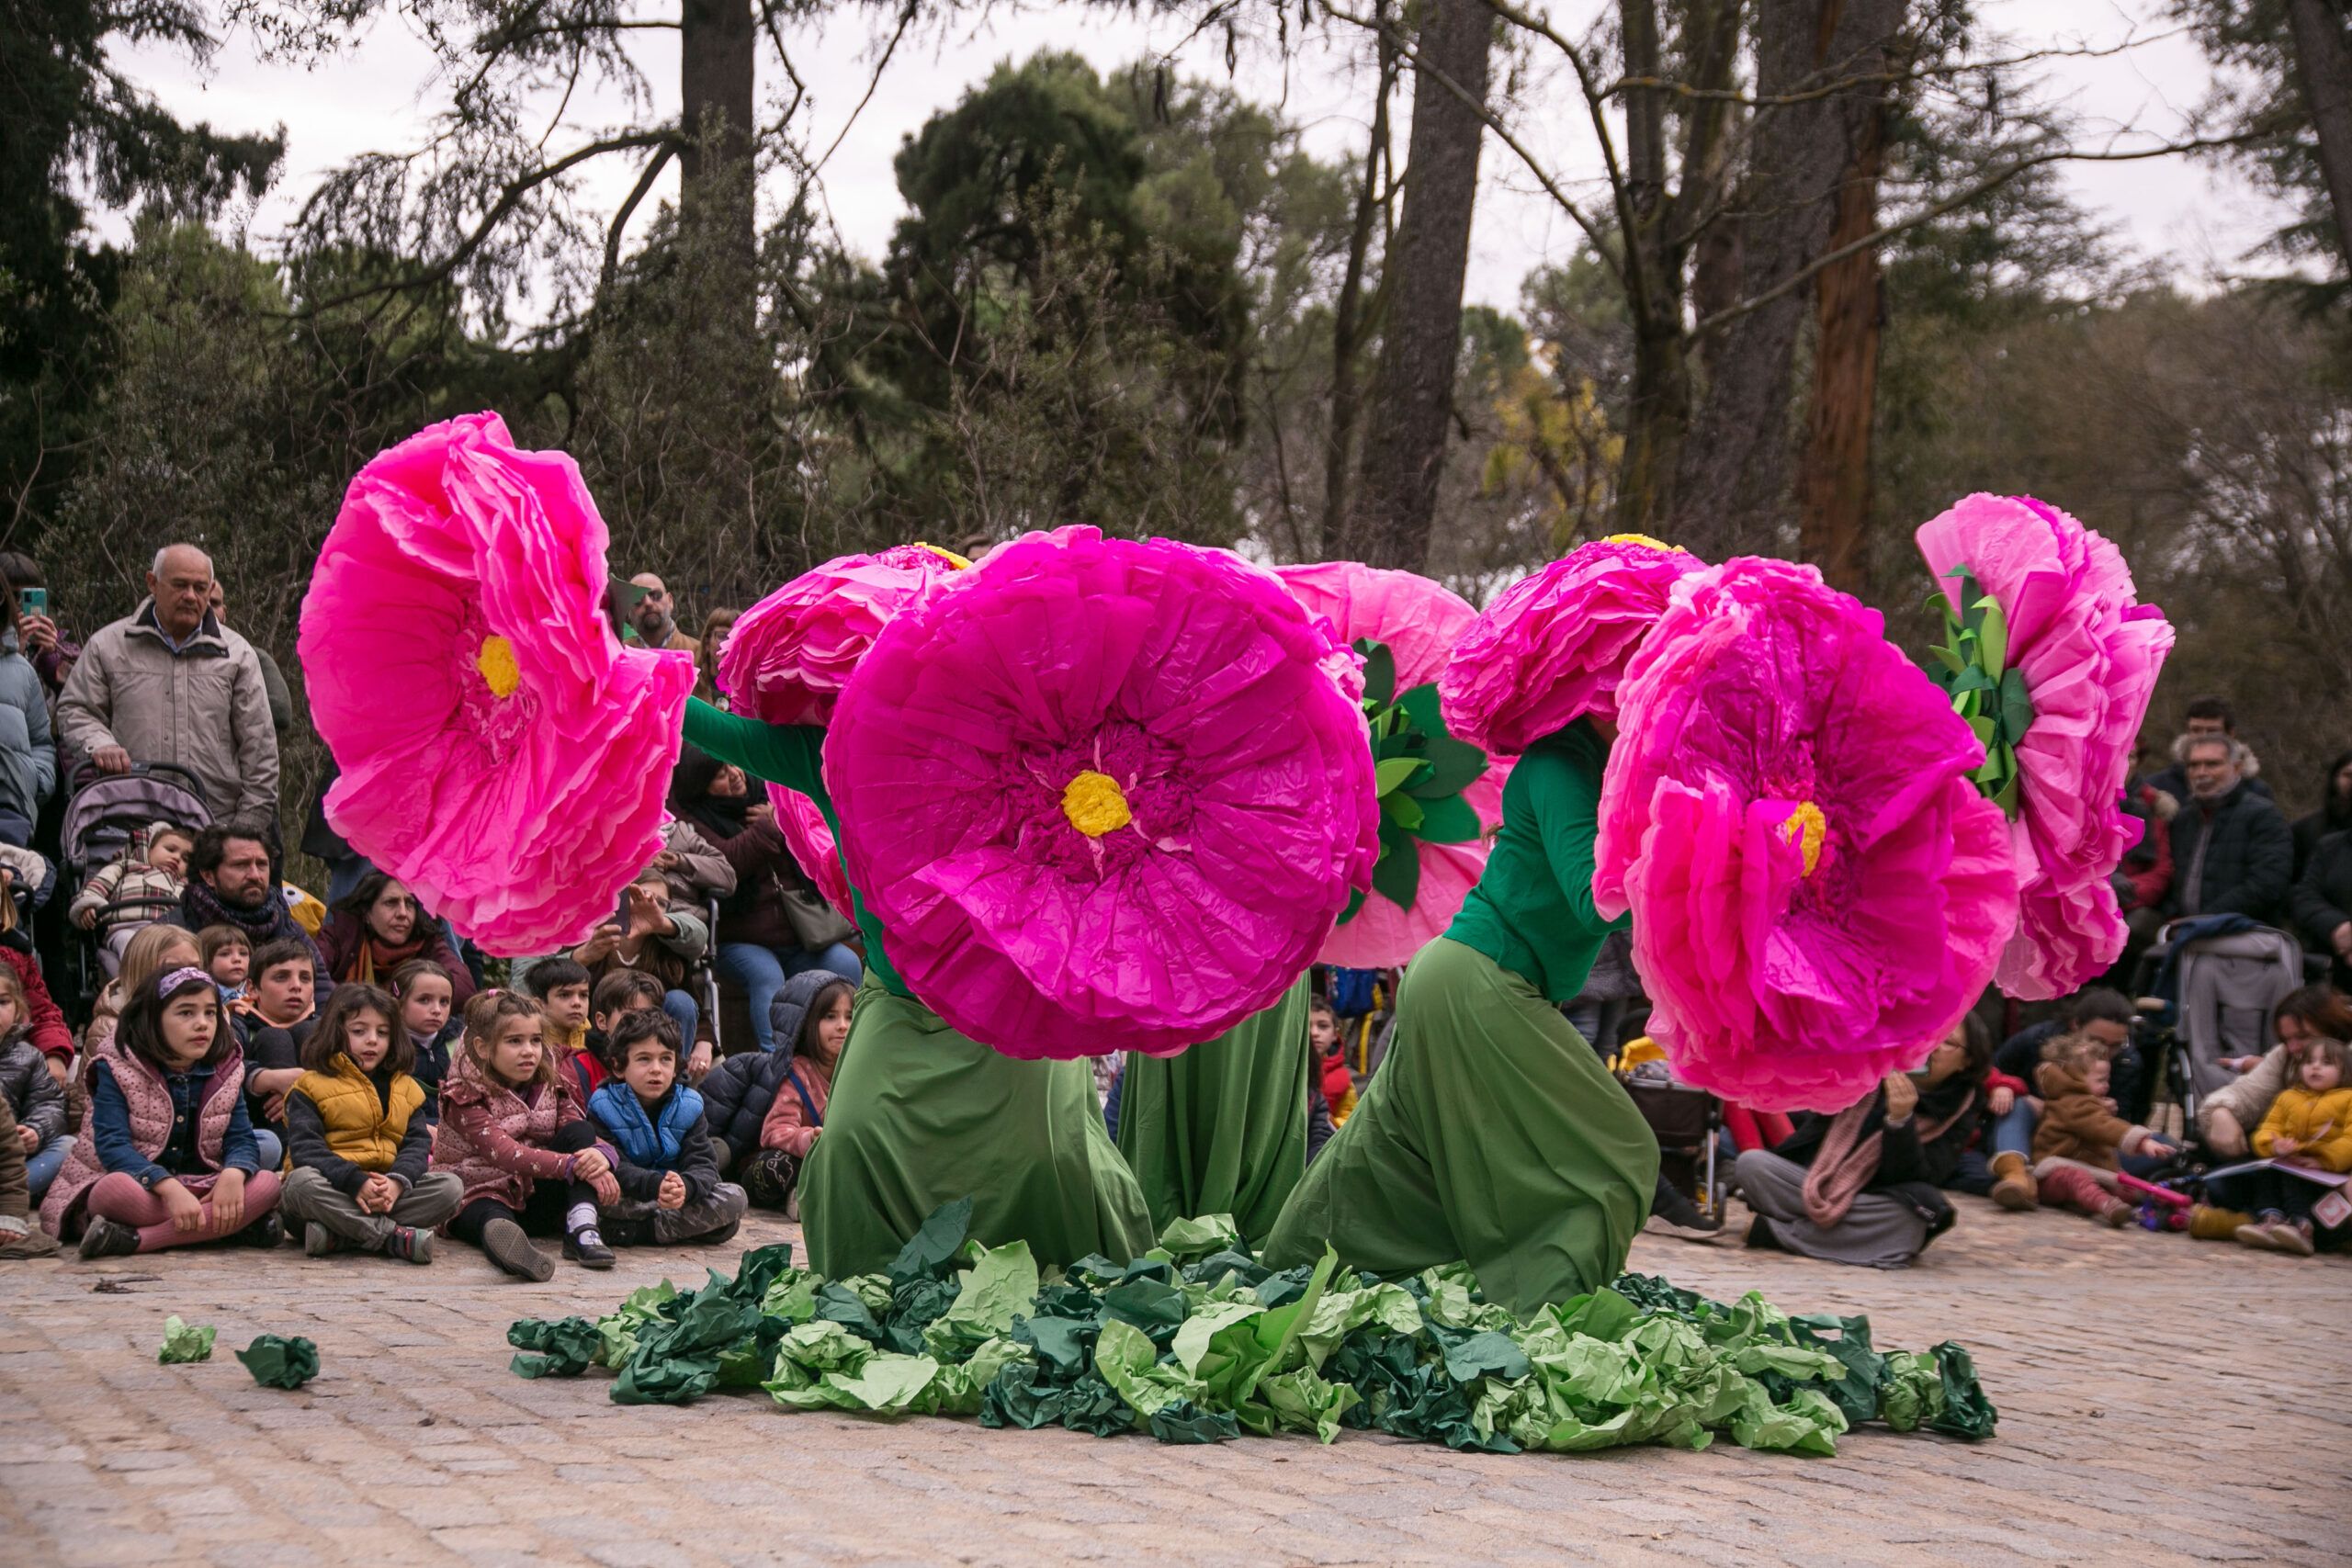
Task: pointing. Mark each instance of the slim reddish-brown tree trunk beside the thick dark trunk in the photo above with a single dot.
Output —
(1833, 483)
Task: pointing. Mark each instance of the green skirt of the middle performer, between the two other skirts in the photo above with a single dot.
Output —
(1224, 1127)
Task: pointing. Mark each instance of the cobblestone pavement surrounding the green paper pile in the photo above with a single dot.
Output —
(2163, 1402)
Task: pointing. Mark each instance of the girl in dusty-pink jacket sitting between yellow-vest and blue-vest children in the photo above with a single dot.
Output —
(516, 1132)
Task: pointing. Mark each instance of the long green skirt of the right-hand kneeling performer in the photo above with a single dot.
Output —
(1492, 1134)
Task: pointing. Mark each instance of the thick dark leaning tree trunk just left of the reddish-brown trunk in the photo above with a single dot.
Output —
(1732, 490)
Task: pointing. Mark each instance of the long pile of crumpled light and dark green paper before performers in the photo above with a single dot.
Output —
(1201, 1343)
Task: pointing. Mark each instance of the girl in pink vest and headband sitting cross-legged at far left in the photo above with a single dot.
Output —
(168, 1155)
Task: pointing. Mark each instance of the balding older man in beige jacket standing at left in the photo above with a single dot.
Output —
(175, 685)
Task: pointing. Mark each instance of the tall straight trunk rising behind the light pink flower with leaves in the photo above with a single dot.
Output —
(1405, 431)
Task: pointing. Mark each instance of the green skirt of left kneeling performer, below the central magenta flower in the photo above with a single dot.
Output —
(923, 1115)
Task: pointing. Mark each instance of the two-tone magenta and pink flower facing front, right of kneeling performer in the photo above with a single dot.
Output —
(1817, 887)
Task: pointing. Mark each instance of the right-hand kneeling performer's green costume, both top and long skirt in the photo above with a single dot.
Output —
(1492, 1134)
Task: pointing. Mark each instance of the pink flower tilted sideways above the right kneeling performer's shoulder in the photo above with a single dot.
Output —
(1556, 645)
